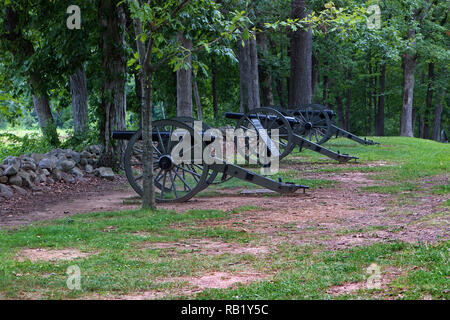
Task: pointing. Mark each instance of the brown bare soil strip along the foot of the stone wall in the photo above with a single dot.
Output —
(62, 200)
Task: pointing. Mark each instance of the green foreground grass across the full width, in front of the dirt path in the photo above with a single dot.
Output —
(119, 265)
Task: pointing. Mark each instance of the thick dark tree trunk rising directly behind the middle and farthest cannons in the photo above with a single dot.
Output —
(300, 91)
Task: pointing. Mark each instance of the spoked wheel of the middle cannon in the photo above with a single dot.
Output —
(270, 119)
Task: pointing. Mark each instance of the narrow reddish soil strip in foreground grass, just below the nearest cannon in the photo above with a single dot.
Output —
(205, 247)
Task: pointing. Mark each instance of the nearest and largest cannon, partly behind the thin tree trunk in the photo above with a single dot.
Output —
(178, 181)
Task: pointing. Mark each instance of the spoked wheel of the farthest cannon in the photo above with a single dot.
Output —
(314, 123)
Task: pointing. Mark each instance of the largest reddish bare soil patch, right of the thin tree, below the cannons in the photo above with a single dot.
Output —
(321, 215)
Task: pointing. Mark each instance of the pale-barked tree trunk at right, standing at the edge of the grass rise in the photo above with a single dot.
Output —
(409, 64)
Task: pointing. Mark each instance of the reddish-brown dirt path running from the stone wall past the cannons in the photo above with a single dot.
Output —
(327, 213)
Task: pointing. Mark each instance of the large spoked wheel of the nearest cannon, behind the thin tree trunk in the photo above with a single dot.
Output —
(173, 182)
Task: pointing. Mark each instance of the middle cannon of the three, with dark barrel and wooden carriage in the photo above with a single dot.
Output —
(291, 131)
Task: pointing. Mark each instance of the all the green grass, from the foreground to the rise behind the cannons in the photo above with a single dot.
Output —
(120, 264)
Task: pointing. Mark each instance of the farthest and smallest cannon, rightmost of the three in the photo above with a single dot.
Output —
(317, 123)
